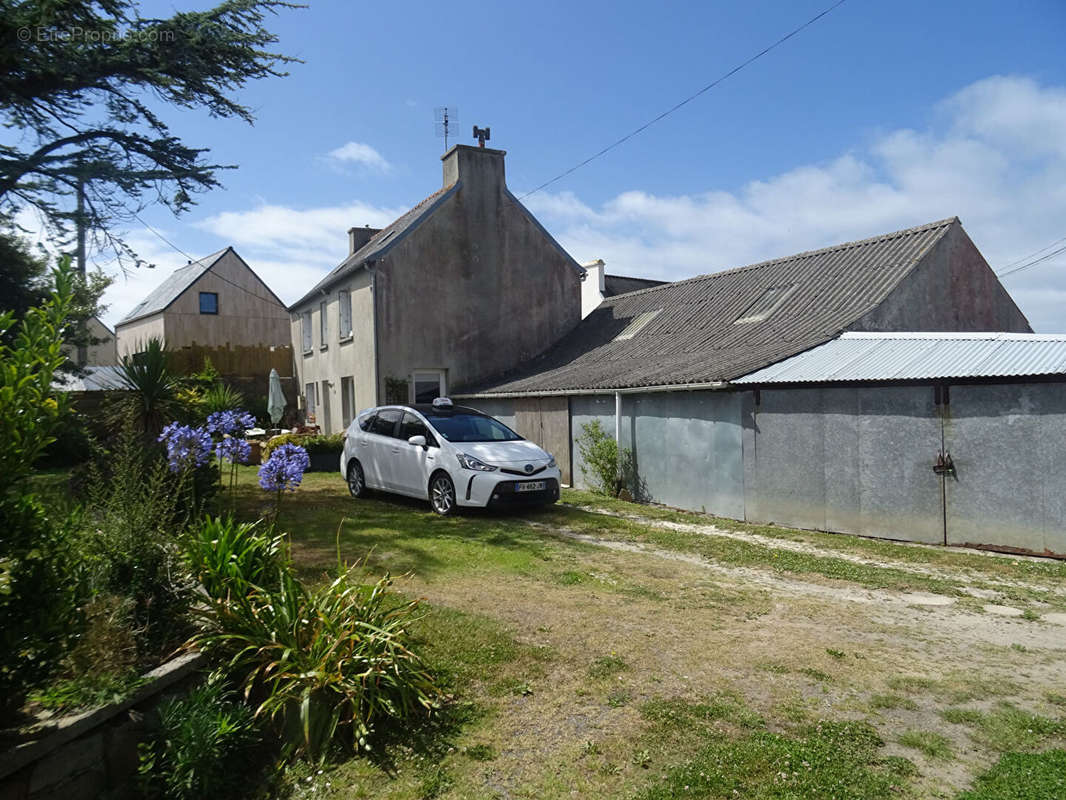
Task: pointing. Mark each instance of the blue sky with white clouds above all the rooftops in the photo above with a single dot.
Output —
(882, 116)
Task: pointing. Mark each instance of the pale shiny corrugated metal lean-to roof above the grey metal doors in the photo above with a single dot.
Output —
(917, 357)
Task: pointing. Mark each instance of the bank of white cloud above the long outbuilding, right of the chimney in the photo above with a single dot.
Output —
(996, 157)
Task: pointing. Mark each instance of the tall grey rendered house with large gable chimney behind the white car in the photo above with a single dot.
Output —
(465, 285)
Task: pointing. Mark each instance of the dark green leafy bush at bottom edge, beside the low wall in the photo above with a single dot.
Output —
(201, 748)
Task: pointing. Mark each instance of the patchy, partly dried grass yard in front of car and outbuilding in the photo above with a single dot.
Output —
(603, 657)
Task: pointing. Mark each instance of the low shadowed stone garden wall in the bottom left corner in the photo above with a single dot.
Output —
(93, 754)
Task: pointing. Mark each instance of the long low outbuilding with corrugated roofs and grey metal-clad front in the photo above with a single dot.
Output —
(834, 390)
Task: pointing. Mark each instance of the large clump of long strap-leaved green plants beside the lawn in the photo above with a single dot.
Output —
(324, 664)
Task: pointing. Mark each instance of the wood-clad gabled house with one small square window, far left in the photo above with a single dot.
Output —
(216, 302)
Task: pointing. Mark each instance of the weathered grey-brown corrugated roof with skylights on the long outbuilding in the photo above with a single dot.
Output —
(696, 339)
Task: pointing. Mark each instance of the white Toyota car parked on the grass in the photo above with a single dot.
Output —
(448, 455)
